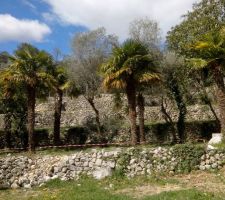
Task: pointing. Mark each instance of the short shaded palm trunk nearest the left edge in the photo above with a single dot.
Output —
(7, 129)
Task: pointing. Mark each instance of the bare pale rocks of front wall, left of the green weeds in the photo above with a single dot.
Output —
(26, 172)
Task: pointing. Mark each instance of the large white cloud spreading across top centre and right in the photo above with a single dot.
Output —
(115, 15)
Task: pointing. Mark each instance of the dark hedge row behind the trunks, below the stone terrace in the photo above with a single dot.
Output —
(157, 133)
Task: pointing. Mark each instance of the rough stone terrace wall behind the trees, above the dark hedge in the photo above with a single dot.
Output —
(78, 111)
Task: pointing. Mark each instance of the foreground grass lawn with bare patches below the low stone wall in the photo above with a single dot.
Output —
(114, 188)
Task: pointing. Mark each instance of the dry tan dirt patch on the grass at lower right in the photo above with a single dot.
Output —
(203, 181)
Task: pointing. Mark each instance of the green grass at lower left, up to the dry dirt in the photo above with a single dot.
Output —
(85, 189)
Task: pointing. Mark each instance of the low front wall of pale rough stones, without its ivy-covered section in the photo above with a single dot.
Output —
(21, 171)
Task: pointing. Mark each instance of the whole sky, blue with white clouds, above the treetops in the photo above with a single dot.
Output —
(50, 24)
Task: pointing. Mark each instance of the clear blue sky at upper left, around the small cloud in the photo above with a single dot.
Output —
(60, 35)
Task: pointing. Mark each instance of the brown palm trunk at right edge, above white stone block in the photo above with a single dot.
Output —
(218, 76)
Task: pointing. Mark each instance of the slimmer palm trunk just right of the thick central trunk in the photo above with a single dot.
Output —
(141, 110)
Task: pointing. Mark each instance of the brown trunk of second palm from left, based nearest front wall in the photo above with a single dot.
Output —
(31, 98)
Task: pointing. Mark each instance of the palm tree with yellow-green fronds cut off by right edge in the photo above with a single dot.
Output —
(210, 50)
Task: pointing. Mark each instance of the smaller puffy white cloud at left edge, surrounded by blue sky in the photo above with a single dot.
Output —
(21, 30)
